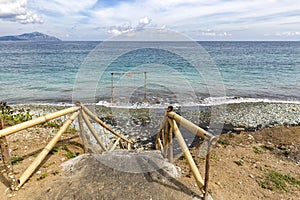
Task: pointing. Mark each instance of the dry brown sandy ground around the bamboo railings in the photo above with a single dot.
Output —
(240, 163)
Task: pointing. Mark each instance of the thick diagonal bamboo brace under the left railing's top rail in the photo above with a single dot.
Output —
(38, 160)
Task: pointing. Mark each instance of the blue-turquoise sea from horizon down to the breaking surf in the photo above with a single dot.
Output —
(149, 73)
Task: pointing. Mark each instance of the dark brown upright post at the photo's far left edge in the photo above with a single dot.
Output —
(6, 159)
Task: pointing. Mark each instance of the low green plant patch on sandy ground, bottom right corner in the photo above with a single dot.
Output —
(275, 181)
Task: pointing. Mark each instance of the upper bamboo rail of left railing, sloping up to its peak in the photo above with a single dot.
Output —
(36, 121)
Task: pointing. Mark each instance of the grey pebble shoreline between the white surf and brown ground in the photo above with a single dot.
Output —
(251, 116)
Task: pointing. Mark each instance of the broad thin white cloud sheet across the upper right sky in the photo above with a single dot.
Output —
(208, 14)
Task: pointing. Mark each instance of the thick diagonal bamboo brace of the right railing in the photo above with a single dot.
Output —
(187, 154)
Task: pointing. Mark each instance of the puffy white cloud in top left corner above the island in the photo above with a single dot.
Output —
(17, 11)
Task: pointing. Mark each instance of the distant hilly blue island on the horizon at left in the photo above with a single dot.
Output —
(31, 37)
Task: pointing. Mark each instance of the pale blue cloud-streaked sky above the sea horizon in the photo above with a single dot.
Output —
(82, 20)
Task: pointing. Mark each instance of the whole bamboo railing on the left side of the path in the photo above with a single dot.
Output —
(81, 113)
